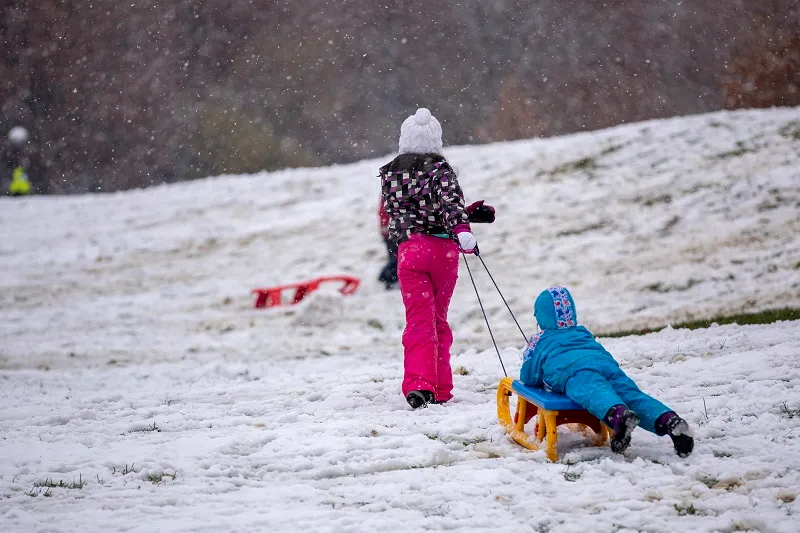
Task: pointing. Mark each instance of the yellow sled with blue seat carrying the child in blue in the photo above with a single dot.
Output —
(553, 410)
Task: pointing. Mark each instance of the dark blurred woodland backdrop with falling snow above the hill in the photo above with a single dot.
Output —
(128, 94)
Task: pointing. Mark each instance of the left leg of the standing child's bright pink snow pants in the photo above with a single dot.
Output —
(419, 336)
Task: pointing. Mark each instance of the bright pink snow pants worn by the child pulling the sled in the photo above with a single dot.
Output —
(427, 269)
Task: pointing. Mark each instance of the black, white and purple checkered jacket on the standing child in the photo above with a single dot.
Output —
(421, 195)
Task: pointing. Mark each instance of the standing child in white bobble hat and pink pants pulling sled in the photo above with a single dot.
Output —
(427, 218)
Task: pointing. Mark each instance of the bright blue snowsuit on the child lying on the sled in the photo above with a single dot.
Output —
(565, 357)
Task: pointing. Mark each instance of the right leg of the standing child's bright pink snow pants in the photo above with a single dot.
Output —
(444, 273)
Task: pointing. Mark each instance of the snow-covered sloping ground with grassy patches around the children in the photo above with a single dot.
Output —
(132, 363)
